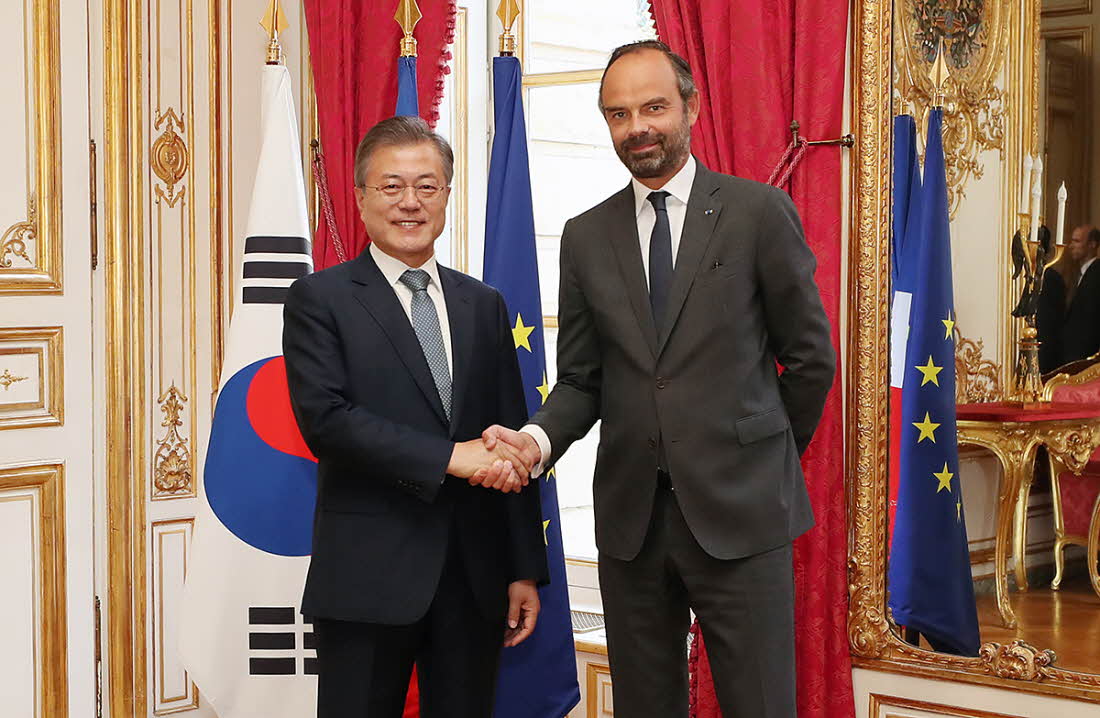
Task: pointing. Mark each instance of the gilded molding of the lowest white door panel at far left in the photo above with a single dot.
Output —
(47, 485)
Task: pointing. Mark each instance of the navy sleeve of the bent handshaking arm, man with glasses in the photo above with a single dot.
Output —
(334, 428)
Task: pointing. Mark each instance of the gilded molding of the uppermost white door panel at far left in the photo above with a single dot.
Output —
(31, 248)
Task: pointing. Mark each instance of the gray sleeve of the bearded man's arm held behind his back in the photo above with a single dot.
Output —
(798, 329)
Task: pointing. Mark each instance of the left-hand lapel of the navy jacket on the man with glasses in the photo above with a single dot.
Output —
(372, 291)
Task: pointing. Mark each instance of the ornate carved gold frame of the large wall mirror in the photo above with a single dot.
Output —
(874, 644)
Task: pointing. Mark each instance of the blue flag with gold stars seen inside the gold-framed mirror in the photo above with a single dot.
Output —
(931, 586)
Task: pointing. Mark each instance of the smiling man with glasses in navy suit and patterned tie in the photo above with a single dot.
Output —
(395, 366)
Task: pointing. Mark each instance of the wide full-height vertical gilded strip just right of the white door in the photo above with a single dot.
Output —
(125, 359)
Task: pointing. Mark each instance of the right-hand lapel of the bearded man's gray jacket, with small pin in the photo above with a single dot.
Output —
(702, 217)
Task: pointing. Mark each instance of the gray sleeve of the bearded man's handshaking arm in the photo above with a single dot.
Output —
(574, 405)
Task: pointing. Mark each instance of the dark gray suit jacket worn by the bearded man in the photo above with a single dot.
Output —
(734, 428)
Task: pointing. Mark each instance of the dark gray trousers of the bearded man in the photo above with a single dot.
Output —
(745, 609)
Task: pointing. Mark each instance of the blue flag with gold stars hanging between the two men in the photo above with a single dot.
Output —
(538, 678)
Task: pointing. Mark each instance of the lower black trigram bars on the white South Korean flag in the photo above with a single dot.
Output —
(274, 643)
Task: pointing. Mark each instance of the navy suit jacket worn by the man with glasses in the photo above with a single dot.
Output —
(369, 411)
